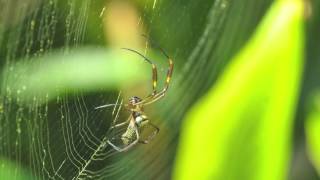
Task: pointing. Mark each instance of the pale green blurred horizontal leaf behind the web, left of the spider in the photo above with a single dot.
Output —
(86, 69)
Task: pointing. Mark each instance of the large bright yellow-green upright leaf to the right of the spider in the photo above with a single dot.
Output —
(241, 129)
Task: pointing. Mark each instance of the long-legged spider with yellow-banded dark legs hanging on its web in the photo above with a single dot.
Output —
(135, 105)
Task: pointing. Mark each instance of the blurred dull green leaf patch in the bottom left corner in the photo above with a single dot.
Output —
(9, 170)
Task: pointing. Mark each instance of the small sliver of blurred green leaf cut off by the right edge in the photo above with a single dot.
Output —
(312, 126)
